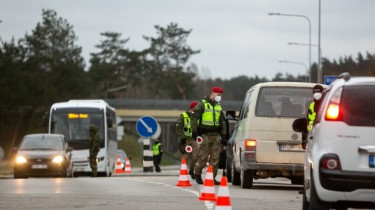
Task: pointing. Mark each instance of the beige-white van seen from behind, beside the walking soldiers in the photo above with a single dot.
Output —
(265, 144)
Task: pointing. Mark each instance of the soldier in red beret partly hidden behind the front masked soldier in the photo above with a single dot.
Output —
(185, 136)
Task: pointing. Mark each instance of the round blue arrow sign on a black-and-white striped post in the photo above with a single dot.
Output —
(147, 127)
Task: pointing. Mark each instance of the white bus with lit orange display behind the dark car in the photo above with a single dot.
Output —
(72, 119)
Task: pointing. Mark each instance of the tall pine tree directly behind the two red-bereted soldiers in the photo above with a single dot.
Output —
(169, 54)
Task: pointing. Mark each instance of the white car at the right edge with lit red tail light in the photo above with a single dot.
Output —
(339, 160)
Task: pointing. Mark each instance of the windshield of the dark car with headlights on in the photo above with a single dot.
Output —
(42, 143)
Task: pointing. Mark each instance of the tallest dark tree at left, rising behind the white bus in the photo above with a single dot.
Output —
(55, 61)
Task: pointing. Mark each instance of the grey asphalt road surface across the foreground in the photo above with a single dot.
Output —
(138, 192)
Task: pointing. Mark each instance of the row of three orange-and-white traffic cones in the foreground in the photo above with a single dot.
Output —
(208, 191)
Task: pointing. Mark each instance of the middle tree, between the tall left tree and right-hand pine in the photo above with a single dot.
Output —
(114, 67)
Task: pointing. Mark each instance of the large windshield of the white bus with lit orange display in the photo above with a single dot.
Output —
(74, 125)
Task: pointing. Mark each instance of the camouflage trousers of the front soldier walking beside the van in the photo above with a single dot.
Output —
(210, 148)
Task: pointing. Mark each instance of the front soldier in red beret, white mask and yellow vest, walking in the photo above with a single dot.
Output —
(208, 122)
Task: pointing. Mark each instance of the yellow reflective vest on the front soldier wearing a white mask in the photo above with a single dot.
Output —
(211, 114)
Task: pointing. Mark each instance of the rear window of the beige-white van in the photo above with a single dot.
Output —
(290, 102)
